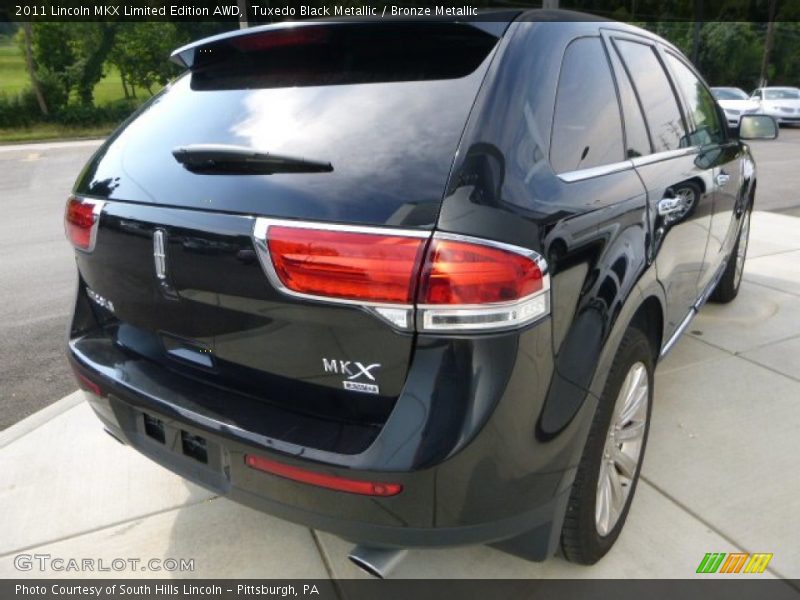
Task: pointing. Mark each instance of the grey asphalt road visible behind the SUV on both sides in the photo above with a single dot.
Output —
(37, 272)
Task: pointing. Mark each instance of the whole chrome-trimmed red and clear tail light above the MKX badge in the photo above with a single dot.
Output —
(453, 283)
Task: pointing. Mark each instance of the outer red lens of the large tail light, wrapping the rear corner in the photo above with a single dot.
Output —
(458, 272)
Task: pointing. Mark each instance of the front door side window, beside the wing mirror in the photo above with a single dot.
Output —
(704, 122)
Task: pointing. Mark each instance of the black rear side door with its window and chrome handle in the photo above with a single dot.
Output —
(679, 184)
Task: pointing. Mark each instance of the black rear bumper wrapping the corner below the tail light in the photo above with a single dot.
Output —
(482, 472)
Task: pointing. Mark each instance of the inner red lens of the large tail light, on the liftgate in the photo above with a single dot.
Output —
(352, 266)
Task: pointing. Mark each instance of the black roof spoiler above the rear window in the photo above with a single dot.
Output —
(494, 23)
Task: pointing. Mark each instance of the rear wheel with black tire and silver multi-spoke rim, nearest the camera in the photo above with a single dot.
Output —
(586, 535)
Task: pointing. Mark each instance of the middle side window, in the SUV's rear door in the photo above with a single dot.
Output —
(658, 100)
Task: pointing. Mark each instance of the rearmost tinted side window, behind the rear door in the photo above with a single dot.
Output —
(587, 129)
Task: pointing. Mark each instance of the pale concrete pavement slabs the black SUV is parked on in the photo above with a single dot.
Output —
(720, 473)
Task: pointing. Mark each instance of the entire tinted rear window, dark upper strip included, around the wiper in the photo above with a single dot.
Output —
(390, 134)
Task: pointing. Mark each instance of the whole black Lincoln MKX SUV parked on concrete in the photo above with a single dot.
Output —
(408, 281)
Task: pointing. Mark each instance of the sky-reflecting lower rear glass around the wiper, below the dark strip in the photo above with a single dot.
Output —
(391, 145)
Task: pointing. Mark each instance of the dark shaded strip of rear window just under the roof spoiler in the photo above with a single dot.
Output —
(341, 54)
